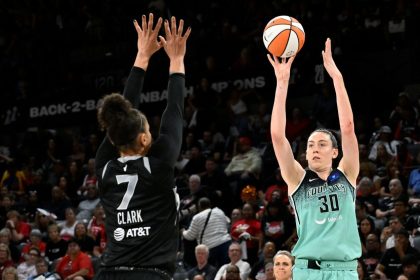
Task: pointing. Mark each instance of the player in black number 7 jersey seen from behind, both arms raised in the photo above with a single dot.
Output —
(136, 175)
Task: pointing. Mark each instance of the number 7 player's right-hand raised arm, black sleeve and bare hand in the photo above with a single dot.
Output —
(168, 145)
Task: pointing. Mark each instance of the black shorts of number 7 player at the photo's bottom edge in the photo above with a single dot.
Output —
(131, 274)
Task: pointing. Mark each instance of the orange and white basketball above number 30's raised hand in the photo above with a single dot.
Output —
(284, 36)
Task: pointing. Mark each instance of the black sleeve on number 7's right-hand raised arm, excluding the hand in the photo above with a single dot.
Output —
(168, 145)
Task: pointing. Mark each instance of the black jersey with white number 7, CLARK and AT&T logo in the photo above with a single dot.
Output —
(140, 202)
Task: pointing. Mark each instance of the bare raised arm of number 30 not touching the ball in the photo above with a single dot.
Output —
(350, 161)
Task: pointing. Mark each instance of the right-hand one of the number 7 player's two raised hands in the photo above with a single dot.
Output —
(174, 42)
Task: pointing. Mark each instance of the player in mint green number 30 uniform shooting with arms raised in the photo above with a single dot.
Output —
(323, 197)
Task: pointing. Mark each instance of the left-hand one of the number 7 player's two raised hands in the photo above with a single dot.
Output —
(147, 42)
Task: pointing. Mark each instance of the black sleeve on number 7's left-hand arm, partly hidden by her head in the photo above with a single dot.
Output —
(132, 91)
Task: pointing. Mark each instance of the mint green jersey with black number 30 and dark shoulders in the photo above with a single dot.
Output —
(325, 218)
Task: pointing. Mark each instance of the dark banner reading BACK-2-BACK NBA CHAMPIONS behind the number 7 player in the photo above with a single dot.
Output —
(82, 110)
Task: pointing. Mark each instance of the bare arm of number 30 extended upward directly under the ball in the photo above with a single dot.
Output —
(291, 171)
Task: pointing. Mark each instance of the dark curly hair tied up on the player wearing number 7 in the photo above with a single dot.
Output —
(122, 122)
